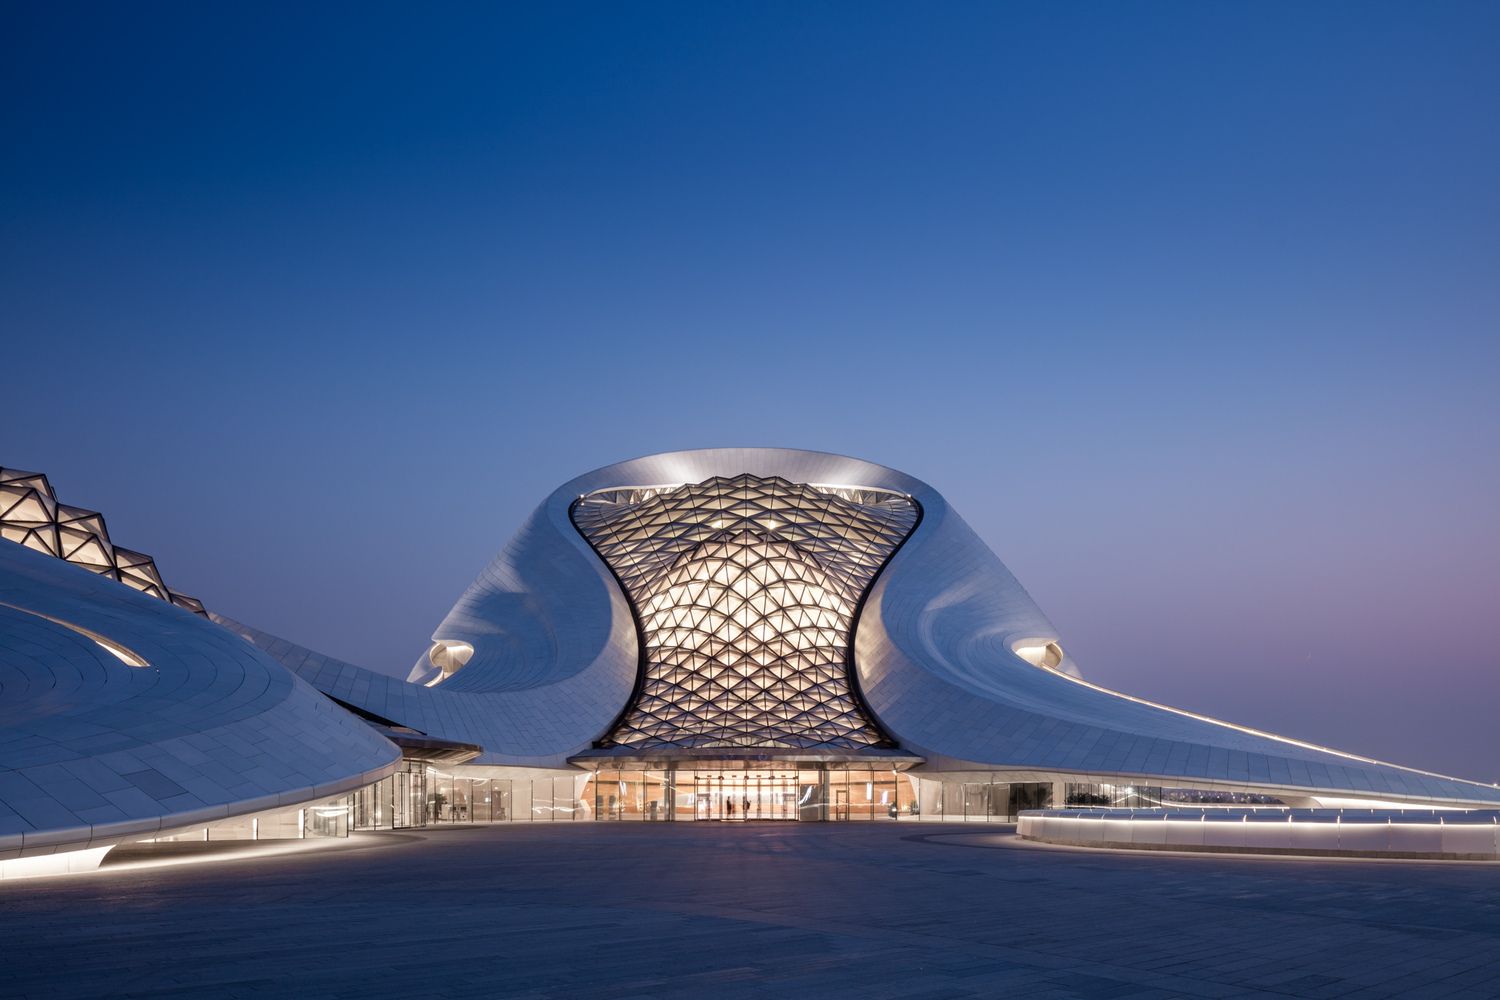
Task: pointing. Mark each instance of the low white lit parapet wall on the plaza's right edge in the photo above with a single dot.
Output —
(1433, 834)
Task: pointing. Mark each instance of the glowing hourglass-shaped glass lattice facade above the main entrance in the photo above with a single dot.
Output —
(746, 591)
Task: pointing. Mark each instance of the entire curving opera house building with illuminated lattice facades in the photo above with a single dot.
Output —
(736, 635)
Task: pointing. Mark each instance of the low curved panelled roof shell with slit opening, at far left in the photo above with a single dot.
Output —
(95, 752)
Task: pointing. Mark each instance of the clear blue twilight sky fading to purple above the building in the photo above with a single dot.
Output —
(1190, 310)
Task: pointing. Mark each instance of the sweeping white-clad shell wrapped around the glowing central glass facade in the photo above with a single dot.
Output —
(556, 659)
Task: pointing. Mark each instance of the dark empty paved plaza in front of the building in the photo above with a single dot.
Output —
(596, 911)
